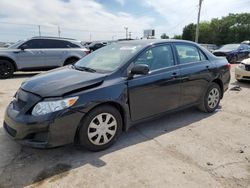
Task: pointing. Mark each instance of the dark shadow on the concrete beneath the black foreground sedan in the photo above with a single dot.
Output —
(35, 165)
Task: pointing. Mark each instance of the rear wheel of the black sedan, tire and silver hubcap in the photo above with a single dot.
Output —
(211, 99)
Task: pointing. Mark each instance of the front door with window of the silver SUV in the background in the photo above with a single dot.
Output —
(32, 56)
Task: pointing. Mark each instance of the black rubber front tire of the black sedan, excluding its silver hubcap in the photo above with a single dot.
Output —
(85, 128)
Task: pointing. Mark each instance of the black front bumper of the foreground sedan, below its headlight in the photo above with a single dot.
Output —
(46, 132)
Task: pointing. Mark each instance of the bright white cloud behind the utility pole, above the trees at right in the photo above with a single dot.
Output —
(178, 13)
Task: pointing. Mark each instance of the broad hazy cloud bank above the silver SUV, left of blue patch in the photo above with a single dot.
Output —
(76, 18)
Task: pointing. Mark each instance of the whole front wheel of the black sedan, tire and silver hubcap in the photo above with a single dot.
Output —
(91, 134)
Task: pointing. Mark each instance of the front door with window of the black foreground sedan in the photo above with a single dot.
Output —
(159, 91)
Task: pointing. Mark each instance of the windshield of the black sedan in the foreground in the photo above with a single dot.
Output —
(109, 58)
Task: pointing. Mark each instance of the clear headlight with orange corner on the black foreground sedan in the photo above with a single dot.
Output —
(46, 107)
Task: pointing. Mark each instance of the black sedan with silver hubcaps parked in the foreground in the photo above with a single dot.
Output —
(91, 102)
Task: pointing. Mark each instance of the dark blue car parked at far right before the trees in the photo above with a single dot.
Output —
(233, 52)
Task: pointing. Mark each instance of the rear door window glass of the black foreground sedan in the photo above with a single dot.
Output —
(189, 54)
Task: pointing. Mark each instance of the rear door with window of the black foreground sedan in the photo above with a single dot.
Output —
(196, 72)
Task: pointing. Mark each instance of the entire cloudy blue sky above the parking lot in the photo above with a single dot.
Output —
(106, 19)
